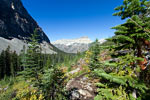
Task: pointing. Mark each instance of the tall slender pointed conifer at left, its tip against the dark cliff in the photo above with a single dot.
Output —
(30, 60)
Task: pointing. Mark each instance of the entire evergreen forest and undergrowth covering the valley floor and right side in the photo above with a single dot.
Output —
(118, 69)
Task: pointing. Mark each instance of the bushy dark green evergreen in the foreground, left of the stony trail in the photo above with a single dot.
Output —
(52, 84)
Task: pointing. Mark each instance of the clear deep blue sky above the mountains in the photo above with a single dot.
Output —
(67, 19)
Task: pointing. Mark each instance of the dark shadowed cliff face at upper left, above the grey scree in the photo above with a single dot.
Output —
(15, 22)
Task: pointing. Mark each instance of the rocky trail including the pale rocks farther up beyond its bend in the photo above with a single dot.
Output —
(80, 87)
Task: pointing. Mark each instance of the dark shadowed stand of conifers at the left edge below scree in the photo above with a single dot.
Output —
(9, 63)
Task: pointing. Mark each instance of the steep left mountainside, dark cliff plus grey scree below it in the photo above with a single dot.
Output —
(16, 26)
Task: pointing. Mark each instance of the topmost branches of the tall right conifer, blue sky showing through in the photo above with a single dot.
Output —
(132, 7)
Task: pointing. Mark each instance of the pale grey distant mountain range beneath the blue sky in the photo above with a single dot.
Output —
(74, 45)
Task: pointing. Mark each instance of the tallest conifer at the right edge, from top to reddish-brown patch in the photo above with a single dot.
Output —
(134, 34)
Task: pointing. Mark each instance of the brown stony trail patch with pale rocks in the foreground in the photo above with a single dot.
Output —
(81, 88)
